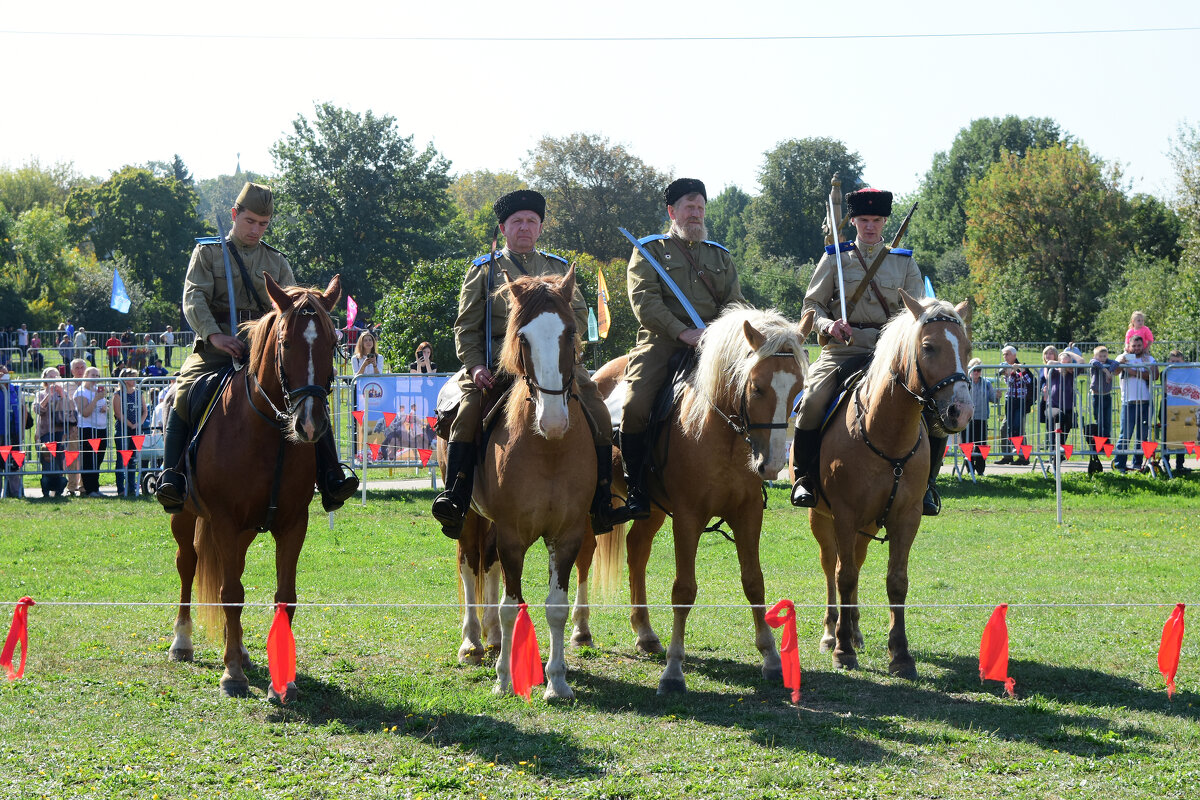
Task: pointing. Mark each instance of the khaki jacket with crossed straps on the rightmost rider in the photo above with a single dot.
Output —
(898, 272)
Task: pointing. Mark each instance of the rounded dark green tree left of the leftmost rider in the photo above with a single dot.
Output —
(152, 221)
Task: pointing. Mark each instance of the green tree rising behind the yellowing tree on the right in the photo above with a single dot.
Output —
(940, 224)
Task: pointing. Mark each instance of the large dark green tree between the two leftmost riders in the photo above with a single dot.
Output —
(355, 197)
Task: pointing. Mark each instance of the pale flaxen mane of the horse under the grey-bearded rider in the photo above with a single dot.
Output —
(727, 359)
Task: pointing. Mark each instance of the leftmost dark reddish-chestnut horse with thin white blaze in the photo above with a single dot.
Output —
(256, 471)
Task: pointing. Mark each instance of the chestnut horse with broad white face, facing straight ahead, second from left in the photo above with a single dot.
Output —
(537, 479)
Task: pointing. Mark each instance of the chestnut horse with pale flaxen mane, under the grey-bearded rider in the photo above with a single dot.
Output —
(728, 436)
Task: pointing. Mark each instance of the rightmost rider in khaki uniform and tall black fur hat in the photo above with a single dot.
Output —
(854, 344)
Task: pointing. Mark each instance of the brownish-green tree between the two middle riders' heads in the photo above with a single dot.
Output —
(592, 188)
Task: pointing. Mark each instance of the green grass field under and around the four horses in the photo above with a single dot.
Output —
(386, 712)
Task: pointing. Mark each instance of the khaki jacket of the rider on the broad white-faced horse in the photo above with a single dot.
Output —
(470, 329)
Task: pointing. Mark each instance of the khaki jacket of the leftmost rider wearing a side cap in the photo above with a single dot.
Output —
(206, 291)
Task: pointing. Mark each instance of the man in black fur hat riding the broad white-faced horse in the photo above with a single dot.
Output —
(520, 215)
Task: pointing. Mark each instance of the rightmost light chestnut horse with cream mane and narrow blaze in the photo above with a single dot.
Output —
(874, 466)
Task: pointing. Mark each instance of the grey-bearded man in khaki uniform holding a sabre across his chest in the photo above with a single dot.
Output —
(705, 273)
